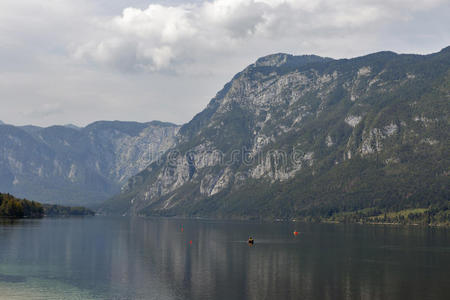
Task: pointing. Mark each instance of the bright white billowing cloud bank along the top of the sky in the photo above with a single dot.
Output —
(162, 37)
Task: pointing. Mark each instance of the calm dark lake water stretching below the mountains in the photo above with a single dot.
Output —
(122, 258)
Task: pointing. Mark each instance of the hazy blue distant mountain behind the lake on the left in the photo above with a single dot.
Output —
(78, 166)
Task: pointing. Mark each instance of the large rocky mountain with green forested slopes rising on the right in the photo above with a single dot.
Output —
(306, 137)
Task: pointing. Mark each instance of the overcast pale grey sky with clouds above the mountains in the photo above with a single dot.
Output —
(65, 61)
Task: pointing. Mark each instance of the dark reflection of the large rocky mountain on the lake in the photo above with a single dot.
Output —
(327, 264)
